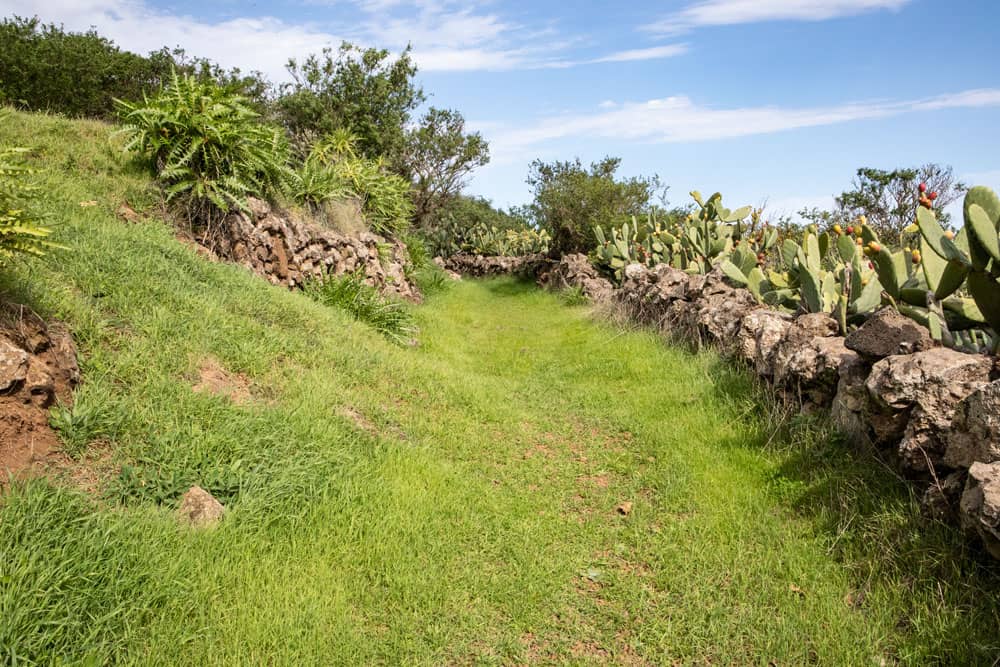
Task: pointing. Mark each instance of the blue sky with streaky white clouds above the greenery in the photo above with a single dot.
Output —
(766, 101)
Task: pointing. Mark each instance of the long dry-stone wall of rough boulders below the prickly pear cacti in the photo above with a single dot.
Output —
(934, 412)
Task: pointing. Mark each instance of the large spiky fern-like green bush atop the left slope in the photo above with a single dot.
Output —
(206, 146)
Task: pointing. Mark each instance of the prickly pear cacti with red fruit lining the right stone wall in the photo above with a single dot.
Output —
(948, 282)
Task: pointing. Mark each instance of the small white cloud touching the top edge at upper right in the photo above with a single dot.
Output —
(734, 12)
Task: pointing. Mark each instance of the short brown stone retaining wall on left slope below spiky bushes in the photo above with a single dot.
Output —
(289, 252)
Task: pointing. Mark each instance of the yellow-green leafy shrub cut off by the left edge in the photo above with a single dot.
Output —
(21, 230)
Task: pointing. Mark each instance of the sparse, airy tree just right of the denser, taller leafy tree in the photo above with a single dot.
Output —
(439, 157)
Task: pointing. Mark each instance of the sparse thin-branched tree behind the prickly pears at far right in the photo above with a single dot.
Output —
(889, 199)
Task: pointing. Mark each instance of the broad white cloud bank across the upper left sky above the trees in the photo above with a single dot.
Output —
(446, 35)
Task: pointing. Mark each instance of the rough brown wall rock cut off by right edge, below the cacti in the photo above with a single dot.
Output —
(975, 430)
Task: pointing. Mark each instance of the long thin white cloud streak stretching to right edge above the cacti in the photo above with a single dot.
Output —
(679, 119)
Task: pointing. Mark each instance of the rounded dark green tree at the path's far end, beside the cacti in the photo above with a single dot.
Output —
(569, 200)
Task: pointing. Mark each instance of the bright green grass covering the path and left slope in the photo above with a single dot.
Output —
(453, 503)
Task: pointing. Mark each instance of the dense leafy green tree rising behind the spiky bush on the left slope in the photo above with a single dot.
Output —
(362, 90)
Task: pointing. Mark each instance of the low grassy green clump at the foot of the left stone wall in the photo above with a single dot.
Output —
(390, 318)
